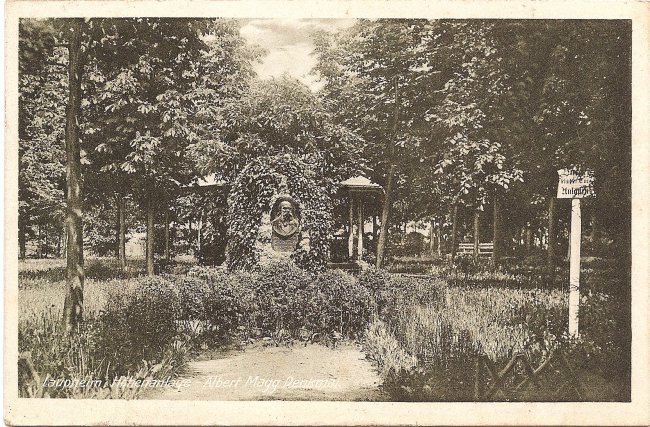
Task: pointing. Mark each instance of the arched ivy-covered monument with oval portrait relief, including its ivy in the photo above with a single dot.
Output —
(278, 210)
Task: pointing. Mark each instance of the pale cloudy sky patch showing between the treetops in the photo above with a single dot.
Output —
(288, 44)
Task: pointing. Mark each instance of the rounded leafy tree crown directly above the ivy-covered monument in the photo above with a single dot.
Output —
(278, 116)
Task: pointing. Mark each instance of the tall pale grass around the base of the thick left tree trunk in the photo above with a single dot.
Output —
(48, 352)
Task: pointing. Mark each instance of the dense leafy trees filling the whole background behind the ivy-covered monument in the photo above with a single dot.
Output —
(464, 122)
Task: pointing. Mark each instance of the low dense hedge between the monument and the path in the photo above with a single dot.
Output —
(280, 299)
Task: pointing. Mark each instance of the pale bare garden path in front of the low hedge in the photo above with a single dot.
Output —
(311, 372)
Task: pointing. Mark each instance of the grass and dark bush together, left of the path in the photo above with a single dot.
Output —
(121, 336)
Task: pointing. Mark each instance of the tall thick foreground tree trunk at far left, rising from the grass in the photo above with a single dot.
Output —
(73, 305)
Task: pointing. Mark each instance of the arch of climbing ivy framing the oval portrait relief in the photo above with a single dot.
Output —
(251, 197)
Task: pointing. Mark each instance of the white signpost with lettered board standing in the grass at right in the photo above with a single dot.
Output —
(575, 186)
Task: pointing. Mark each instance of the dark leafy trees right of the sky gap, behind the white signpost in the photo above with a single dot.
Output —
(489, 111)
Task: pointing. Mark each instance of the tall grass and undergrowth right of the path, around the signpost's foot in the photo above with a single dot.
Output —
(429, 336)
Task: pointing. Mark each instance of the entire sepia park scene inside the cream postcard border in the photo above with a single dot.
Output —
(324, 209)
